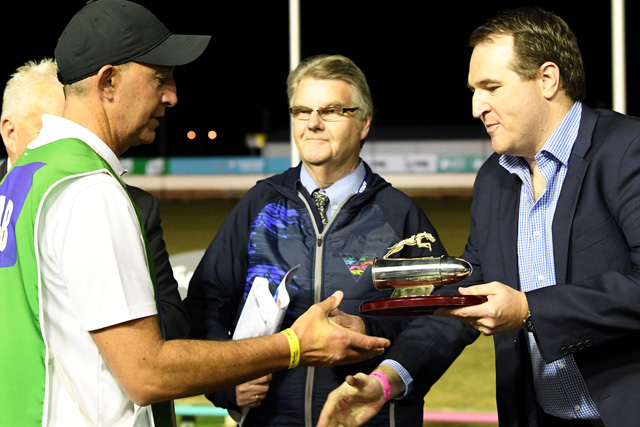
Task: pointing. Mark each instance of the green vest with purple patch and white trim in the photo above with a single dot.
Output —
(24, 356)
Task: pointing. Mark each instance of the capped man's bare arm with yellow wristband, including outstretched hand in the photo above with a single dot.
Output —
(150, 369)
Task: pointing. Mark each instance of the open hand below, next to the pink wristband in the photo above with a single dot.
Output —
(353, 403)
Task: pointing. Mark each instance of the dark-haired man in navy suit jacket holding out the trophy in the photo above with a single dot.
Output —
(554, 243)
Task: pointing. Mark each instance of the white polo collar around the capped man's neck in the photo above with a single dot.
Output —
(55, 128)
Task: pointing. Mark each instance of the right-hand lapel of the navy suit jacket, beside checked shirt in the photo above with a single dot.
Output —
(568, 199)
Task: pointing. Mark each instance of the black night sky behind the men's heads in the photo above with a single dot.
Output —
(413, 52)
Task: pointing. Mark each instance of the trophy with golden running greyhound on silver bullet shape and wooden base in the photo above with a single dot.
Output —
(413, 280)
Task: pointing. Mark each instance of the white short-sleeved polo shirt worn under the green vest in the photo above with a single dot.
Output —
(94, 275)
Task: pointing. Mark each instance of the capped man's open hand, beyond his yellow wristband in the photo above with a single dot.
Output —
(325, 343)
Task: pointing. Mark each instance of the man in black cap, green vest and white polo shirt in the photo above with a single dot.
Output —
(80, 338)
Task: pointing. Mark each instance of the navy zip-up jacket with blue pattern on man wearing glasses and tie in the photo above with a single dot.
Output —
(276, 226)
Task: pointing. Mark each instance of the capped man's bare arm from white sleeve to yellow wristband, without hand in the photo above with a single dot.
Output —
(153, 369)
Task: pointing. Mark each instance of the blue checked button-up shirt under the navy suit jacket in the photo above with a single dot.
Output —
(560, 388)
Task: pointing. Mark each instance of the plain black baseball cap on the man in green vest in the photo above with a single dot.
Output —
(118, 31)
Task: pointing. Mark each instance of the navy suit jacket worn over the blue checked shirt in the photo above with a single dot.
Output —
(594, 310)
